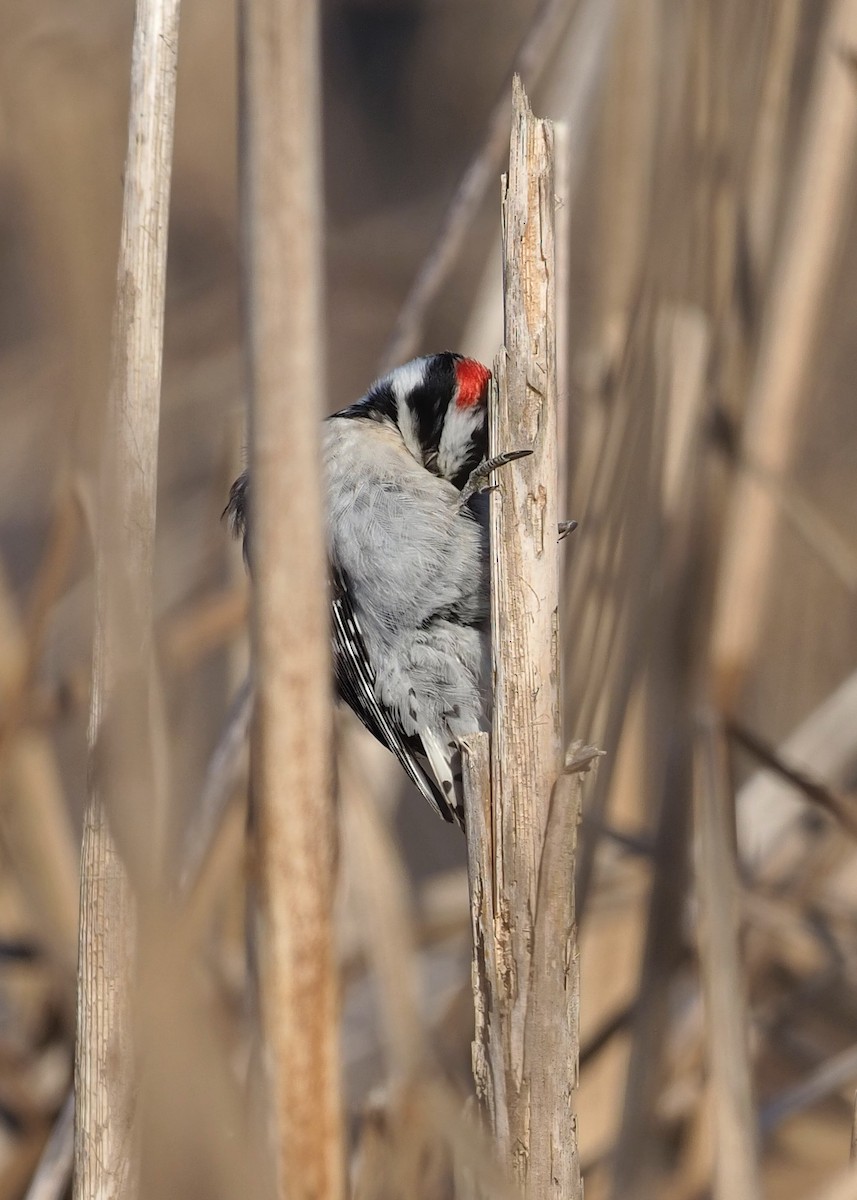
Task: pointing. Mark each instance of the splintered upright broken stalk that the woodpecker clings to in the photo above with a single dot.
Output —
(526, 731)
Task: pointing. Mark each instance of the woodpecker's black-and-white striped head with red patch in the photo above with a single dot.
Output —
(440, 406)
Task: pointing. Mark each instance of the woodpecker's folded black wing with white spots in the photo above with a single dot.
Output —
(356, 682)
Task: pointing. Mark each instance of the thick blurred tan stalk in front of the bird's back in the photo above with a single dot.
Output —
(292, 748)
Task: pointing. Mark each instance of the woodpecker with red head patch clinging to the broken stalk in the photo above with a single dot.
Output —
(405, 482)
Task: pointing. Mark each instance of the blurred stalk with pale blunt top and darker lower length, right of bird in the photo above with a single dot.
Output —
(682, 346)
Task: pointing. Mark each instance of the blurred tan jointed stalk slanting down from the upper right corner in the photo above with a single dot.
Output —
(801, 272)
